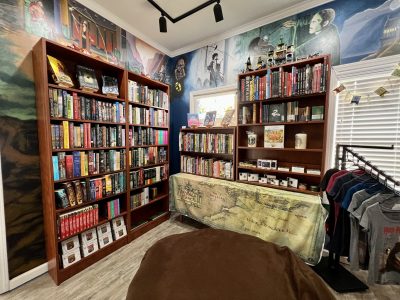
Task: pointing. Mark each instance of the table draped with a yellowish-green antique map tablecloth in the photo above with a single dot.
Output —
(285, 218)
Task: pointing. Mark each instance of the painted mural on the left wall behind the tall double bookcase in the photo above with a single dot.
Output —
(22, 23)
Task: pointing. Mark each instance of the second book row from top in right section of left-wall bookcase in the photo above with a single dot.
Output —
(148, 116)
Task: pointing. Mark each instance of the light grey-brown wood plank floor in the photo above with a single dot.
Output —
(110, 277)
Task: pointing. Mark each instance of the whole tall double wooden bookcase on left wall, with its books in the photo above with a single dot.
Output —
(88, 149)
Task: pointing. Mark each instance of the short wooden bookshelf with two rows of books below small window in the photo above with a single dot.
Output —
(208, 152)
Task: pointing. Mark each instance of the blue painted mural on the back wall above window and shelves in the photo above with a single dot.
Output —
(349, 30)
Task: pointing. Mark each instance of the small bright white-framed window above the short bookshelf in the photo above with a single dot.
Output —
(219, 99)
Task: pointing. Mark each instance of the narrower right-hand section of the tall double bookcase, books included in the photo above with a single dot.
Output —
(148, 139)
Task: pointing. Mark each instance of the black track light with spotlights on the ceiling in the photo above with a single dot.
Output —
(163, 21)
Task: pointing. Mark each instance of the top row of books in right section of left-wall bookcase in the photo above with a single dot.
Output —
(143, 94)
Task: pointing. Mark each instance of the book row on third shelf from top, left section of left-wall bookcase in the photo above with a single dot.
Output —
(72, 135)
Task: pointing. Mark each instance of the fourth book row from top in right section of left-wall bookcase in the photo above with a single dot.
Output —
(139, 157)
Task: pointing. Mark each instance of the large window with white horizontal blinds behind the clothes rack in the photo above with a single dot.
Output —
(375, 120)
